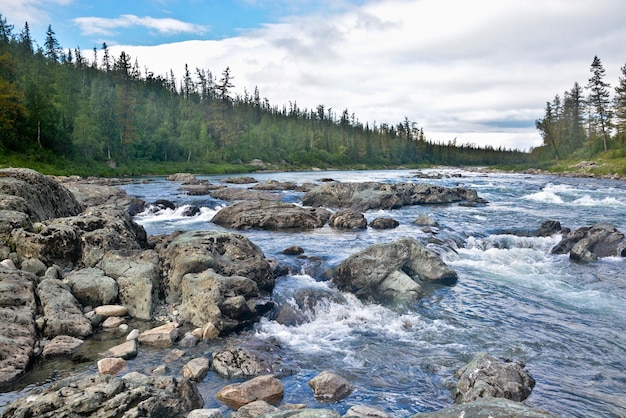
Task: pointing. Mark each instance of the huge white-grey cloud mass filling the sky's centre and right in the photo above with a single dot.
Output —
(478, 71)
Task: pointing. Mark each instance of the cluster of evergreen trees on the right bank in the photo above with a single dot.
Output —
(582, 125)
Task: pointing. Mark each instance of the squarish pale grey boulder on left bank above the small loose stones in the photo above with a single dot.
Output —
(91, 287)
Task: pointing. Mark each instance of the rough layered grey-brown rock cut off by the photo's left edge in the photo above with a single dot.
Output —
(18, 333)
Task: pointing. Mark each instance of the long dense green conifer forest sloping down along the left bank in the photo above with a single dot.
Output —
(58, 103)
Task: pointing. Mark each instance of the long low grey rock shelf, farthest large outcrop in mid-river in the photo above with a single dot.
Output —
(373, 195)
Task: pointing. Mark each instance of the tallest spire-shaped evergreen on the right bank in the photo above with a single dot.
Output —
(599, 100)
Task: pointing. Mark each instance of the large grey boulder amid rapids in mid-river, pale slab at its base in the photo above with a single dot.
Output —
(392, 272)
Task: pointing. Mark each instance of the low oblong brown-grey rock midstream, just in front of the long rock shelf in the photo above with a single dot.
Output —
(270, 216)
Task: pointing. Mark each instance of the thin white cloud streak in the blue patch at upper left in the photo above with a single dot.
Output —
(165, 26)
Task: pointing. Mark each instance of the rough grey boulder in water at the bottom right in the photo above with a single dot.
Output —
(488, 377)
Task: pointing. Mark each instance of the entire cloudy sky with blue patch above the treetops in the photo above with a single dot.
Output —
(479, 71)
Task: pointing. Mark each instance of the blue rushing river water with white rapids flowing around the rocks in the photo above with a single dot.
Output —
(513, 299)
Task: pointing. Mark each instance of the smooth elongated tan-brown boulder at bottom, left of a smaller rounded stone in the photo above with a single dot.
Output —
(266, 388)
